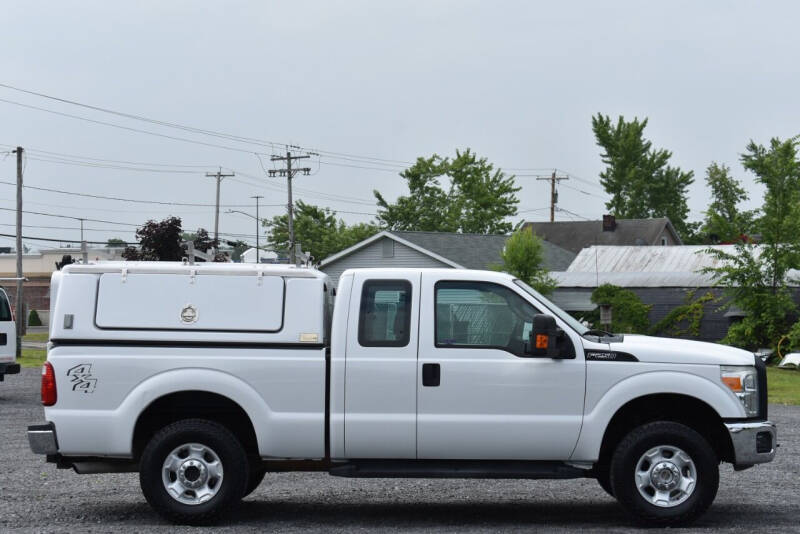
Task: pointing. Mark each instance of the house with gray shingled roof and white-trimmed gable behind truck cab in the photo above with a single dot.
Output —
(432, 249)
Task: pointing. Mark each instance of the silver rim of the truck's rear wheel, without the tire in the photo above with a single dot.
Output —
(192, 473)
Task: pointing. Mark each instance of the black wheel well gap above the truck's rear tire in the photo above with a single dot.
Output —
(194, 404)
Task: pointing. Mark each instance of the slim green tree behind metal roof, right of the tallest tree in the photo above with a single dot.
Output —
(724, 222)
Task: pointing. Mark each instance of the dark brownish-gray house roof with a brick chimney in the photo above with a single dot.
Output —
(577, 235)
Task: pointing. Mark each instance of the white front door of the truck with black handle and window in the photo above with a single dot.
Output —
(480, 396)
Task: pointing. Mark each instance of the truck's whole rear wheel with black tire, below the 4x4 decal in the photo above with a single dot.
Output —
(193, 471)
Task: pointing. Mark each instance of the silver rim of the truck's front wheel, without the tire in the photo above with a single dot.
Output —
(665, 476)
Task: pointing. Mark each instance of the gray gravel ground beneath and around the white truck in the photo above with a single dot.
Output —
(36, 497)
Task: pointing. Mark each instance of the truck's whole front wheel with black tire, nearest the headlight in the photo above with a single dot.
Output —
(664, 474)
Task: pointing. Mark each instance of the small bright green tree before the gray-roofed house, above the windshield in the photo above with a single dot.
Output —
(523, 257)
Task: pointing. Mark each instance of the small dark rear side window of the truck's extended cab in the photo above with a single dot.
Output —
(385, 315)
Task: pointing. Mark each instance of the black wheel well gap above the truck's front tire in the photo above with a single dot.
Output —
(683, 409)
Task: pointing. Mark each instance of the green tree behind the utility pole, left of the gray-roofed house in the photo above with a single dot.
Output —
(317, 230)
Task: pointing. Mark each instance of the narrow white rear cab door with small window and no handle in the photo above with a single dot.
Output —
(380, 419)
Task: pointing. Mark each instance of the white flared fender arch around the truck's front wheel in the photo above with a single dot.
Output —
(596, 421)
